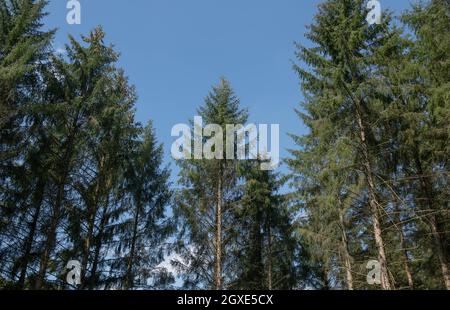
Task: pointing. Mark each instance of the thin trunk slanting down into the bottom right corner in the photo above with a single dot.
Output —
(433, 222)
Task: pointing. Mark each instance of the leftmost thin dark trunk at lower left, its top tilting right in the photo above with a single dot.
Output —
(37, 201)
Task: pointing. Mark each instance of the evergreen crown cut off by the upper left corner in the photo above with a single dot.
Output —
(22, 46)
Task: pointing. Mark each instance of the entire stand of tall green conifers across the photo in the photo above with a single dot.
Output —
(81, 179)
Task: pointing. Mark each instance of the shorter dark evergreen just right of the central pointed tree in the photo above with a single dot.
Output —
(266, 250)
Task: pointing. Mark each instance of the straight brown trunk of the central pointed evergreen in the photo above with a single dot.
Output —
(218, 235)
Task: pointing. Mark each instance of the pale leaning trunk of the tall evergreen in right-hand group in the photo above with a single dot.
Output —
(373, 201)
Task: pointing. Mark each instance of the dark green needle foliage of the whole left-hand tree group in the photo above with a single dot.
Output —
(81, 180)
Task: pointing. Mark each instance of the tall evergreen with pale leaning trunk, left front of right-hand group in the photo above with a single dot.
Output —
(341, 105)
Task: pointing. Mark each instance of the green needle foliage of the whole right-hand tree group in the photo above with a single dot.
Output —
(371, 176)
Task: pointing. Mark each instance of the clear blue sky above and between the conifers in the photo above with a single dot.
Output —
(174, 50)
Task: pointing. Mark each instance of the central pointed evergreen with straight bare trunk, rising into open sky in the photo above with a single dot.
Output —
(209, 191)
